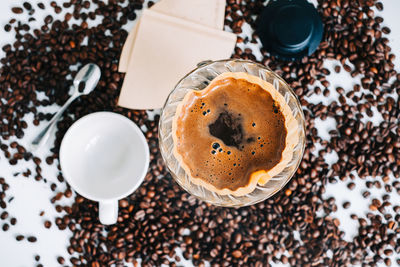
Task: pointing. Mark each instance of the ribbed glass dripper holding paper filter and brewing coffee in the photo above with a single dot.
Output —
(232, 133)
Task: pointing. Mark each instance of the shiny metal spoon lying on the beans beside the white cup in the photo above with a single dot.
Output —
(90, 76)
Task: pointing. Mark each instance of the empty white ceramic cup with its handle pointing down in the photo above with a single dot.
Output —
(104, 156)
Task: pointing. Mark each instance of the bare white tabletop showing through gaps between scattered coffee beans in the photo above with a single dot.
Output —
(31, 197)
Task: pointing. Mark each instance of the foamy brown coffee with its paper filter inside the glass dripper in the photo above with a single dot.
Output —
(236, 133)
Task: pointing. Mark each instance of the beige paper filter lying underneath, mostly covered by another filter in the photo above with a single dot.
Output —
(205, 12)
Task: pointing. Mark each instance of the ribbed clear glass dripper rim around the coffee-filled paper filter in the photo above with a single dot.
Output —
(198, 79)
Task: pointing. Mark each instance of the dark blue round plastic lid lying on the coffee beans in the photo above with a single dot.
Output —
(290, 29)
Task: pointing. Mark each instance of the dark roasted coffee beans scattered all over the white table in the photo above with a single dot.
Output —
(160, 217)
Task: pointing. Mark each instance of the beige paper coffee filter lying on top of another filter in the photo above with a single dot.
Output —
(166, 48)
